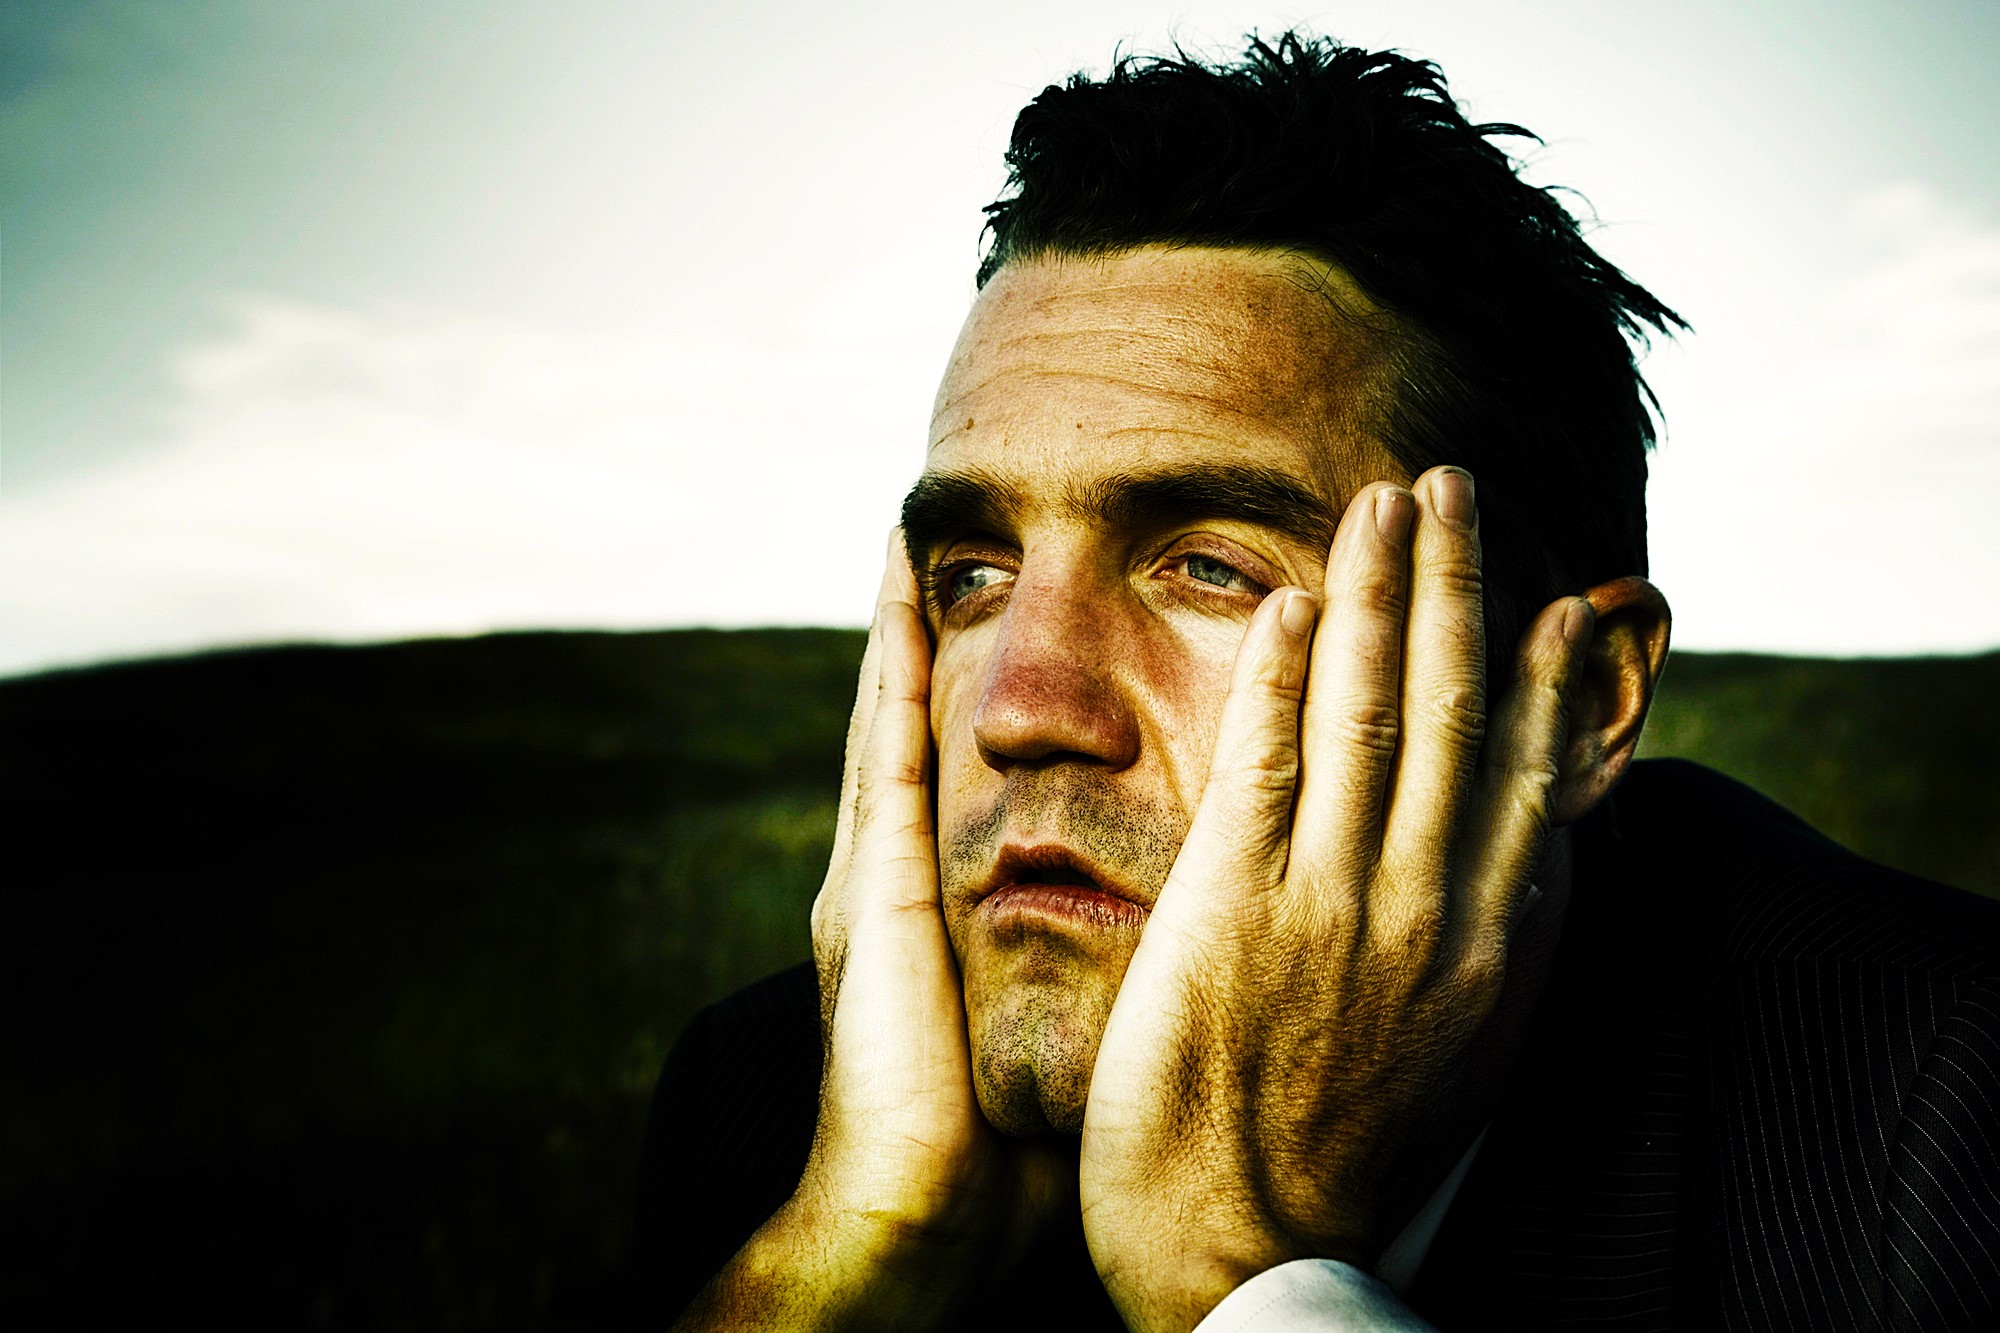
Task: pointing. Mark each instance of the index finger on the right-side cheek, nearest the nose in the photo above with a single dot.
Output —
(1241, 832)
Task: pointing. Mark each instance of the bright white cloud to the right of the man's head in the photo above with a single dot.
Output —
(1841, 493)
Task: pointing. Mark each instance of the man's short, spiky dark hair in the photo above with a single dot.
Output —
(1509, 349)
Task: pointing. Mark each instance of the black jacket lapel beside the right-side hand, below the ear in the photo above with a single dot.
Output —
(1575, 1208)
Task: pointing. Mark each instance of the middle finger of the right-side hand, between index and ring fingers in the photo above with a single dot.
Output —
(1353, 702)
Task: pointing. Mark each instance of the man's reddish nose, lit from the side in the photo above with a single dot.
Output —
(1053, 684)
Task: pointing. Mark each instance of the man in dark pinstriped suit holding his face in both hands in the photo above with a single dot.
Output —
(1231, 920)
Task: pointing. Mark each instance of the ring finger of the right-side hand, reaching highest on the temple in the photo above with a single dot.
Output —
(1443, 684)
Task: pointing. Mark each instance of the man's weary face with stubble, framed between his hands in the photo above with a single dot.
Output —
(1127, 455)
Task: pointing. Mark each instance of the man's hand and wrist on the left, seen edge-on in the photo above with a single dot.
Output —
(909, 1194)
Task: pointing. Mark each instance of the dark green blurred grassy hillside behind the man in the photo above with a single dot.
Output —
(339, 976)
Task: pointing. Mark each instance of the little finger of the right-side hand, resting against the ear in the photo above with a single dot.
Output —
(1517, 782)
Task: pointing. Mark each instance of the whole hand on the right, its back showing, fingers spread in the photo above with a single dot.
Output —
(1293, 1030)
